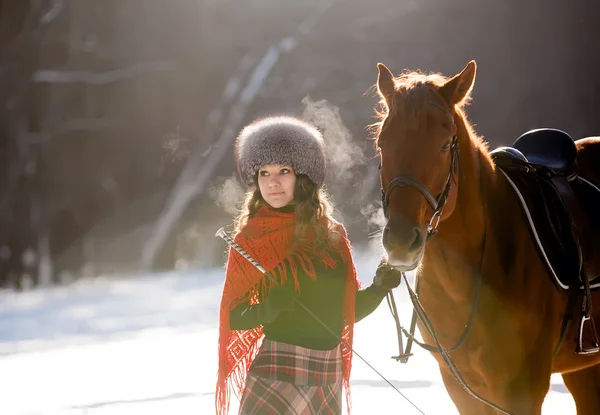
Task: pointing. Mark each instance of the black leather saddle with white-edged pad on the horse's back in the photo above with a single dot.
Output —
(542, 168)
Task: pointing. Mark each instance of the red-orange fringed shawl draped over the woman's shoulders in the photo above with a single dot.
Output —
(268, 238)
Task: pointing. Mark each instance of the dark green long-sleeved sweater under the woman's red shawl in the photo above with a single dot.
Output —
(323, 297)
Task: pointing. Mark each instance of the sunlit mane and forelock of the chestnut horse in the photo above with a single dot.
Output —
(415, 90)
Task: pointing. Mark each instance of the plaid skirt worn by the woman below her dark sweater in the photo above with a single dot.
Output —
(291, 380)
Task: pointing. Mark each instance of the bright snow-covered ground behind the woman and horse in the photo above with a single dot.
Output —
(147, 345)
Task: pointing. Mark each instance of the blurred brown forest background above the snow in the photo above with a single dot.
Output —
(117, 116)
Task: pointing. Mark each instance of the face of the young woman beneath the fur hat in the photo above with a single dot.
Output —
(276, 184)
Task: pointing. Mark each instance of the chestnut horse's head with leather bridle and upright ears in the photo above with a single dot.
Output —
(418, 145)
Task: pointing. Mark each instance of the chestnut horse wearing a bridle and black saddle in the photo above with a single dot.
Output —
(490, 312)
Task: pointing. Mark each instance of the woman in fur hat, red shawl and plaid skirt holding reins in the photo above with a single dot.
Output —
(303, 362)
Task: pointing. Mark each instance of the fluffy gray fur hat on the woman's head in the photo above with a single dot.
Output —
(281, 140)
